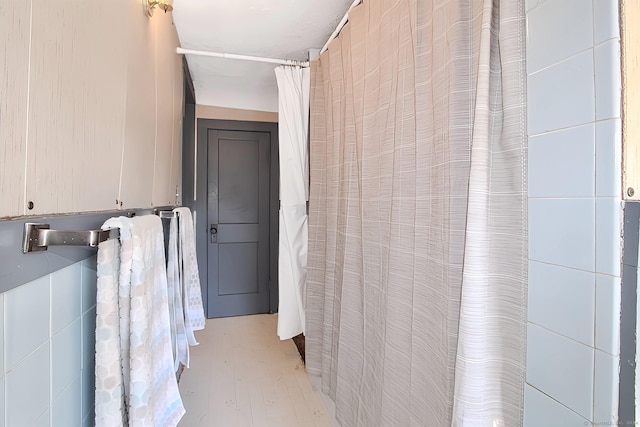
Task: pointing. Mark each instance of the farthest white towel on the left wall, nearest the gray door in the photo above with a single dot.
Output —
(190, 278)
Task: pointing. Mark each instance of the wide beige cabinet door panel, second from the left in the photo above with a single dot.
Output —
(76, 96)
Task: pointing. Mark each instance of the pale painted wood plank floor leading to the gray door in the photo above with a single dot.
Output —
(241, 375)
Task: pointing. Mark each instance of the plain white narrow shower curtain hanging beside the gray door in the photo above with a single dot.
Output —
(293, 117)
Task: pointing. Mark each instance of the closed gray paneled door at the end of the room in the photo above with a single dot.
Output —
(238, 169)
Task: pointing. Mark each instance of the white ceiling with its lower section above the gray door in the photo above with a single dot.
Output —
(283, 29)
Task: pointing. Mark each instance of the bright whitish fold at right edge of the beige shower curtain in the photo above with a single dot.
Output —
(491, 358)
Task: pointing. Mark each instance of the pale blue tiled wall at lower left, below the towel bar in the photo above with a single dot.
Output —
(49, 336)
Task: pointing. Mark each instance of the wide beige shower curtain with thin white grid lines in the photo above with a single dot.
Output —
(417, 264)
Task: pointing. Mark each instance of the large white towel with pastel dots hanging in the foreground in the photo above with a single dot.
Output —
(144, 392)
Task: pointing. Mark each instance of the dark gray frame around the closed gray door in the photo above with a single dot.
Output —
(201, 206)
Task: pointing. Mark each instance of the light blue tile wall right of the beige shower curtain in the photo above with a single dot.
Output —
(575, 217)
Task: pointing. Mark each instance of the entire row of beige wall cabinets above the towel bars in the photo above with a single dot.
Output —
(90, 107)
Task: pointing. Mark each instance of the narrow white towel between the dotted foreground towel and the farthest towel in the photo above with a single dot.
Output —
(179, 340)
